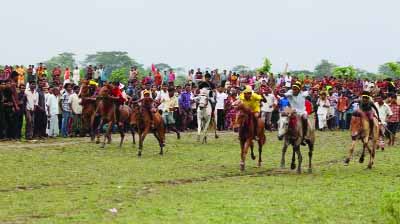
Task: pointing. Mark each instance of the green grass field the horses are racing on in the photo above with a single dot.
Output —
(74, 181)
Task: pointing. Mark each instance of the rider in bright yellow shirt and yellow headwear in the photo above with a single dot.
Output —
(252, 100)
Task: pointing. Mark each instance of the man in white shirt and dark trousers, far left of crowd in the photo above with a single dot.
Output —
(32, 100)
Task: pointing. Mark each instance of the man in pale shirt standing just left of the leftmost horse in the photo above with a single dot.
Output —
(76, 109)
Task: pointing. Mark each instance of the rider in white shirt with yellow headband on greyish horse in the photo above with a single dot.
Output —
(297, 100)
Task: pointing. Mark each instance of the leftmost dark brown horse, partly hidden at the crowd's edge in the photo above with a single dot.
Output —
(88, 109)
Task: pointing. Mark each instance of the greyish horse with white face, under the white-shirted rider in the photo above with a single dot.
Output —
(290, 129)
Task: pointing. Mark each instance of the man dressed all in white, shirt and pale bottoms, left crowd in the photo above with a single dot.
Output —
(52, 113)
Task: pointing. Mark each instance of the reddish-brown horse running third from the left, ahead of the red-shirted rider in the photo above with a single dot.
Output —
(142, 119)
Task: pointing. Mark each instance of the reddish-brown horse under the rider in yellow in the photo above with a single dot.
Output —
(245, 122)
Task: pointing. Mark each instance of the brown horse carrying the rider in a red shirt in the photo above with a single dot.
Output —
(107, 111)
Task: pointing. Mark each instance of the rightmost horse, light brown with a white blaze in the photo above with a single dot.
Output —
(360, 129)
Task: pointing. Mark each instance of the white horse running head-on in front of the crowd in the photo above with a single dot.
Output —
(204, 111)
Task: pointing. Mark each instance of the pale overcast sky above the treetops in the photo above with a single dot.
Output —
(205, 33)
